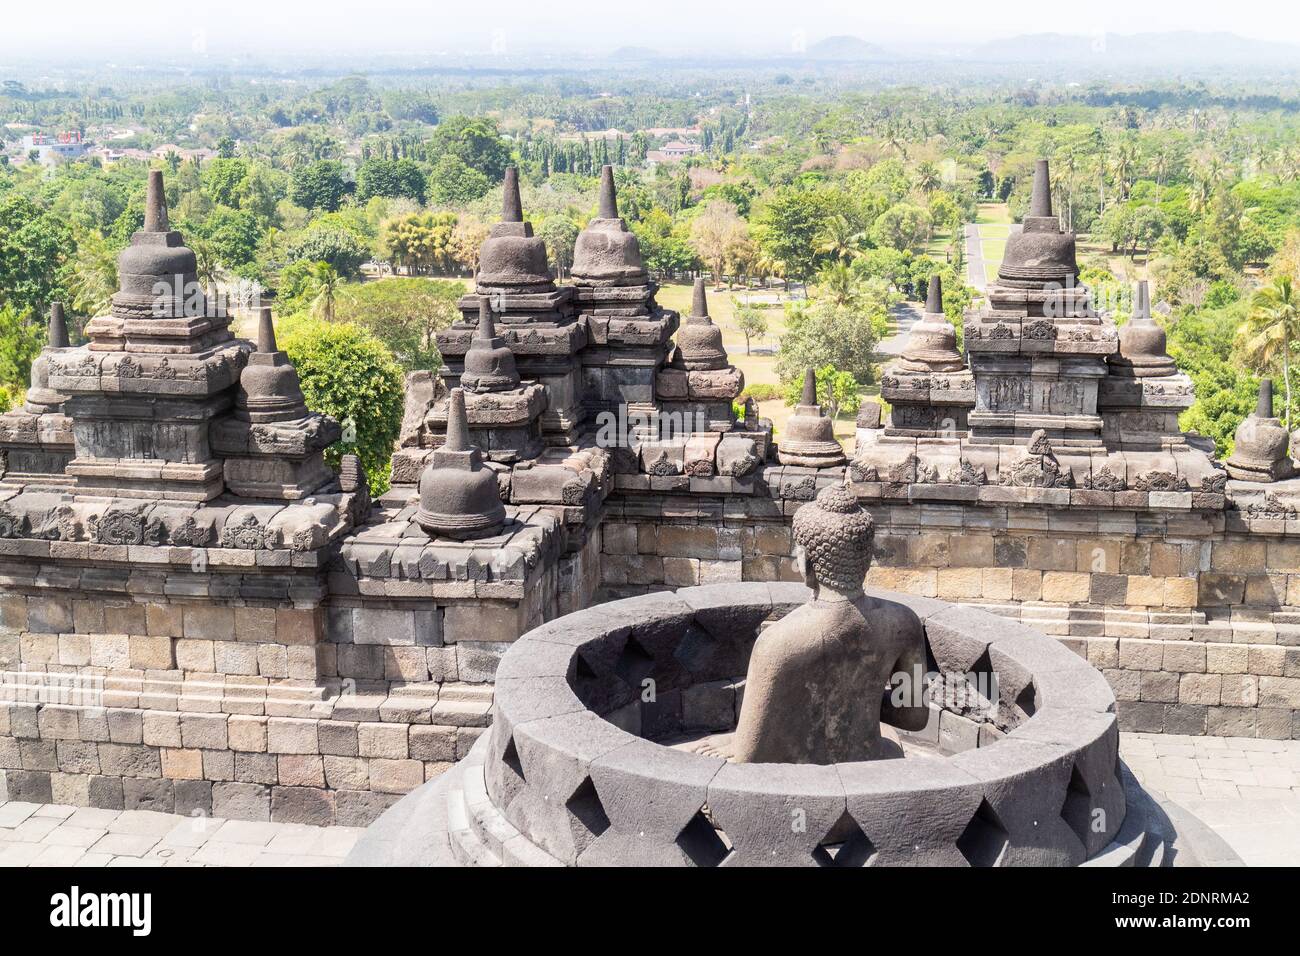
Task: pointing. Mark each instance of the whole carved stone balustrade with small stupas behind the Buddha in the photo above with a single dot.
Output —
(197, 615)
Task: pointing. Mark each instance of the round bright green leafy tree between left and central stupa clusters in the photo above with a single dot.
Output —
(349, 375)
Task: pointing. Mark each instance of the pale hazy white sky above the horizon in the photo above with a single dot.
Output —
(120, 28)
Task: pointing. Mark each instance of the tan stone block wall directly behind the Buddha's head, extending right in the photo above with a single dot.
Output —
(1194, 617)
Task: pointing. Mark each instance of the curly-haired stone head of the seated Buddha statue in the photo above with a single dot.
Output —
(833, 538)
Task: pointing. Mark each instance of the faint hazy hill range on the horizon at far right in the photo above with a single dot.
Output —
(1182, 46)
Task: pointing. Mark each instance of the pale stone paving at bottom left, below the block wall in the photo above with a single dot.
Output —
(51, 836)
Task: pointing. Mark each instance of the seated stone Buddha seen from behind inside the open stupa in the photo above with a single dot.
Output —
(816, 687)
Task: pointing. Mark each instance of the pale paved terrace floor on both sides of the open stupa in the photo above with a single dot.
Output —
(1247, 790)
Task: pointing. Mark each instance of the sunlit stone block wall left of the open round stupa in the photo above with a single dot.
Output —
(222, 694)
